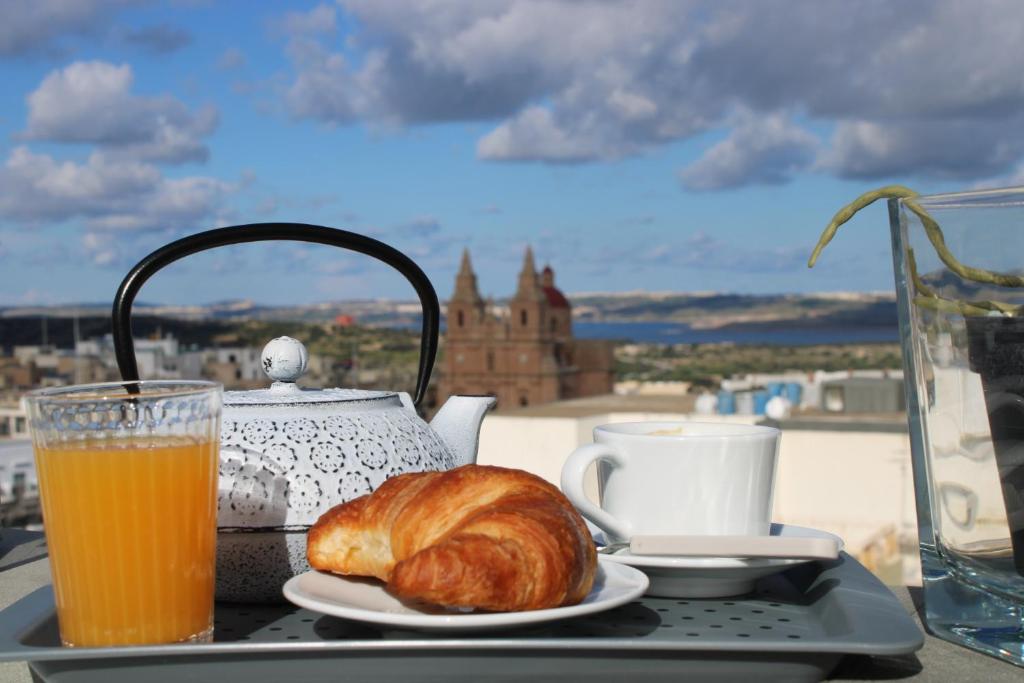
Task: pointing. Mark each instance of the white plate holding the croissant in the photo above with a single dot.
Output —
(366, 601)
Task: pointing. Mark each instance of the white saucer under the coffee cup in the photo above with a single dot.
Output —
(674, 577)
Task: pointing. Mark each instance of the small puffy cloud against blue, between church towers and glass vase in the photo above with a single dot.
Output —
(760, 150)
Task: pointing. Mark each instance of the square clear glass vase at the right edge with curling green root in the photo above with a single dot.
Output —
(964, 355)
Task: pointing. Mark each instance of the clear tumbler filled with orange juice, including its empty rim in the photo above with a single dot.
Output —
(129, 482)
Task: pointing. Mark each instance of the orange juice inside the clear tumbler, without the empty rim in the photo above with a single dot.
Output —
(132, 528)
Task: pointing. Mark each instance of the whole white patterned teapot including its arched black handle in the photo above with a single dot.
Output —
(289, 454)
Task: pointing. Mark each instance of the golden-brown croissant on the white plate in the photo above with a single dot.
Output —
(483, 537)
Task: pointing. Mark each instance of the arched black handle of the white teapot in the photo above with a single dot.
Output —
(124, 349)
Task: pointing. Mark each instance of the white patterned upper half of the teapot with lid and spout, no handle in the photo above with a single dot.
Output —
(288, 454)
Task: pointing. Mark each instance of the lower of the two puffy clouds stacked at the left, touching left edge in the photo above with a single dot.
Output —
(109, 195)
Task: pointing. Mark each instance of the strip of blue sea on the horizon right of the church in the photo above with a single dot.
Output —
(680, 333)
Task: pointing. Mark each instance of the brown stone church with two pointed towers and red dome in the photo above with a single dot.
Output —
(524, 358)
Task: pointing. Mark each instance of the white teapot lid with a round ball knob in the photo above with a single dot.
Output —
(285, 360)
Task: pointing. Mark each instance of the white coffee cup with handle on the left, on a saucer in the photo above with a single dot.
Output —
(677, 479)
